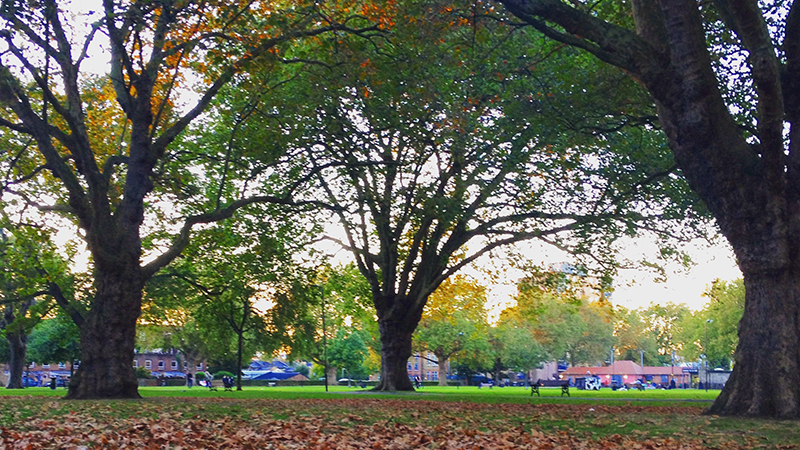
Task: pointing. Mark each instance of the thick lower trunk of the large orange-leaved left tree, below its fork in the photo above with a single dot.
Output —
(107, 338)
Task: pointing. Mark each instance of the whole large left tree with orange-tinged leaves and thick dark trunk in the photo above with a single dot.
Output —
(95, 155)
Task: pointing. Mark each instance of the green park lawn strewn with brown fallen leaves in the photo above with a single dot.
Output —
(435, 418)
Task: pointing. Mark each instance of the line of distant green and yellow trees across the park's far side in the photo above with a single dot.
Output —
(554, 317)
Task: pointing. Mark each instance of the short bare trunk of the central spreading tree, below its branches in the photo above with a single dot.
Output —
(395, 351)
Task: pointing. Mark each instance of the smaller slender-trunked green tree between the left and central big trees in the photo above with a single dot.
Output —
(238, 290)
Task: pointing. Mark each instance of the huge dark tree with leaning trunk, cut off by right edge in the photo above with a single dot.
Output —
(724, 78)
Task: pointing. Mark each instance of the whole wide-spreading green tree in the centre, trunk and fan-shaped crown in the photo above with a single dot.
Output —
(418, 146)
